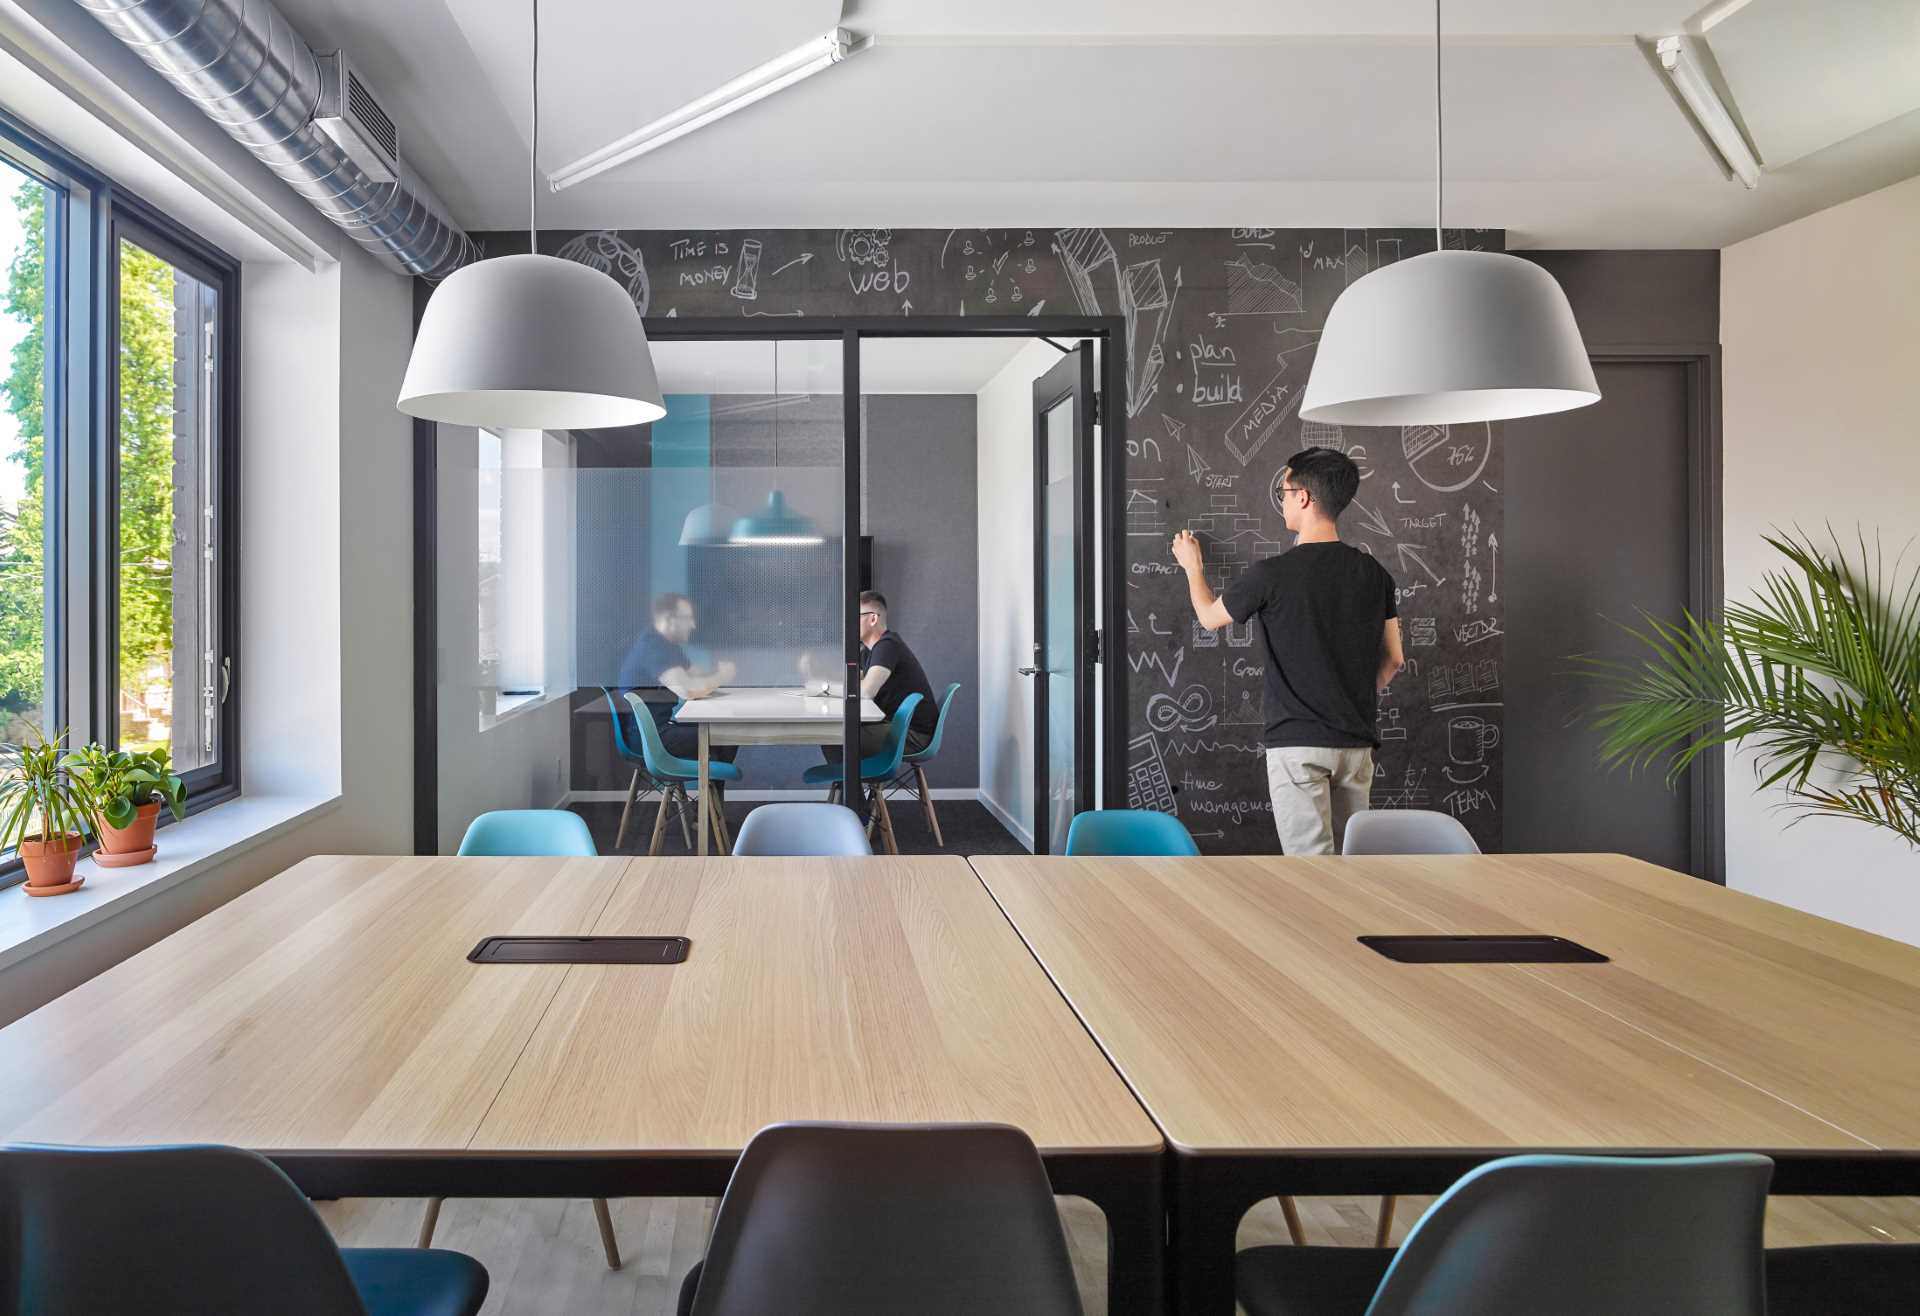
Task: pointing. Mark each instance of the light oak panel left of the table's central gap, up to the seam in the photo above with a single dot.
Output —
(817, 990)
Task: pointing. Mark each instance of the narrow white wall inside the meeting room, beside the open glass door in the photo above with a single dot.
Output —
(1005, 422)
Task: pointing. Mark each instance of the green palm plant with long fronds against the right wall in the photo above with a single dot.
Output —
(1821, 670)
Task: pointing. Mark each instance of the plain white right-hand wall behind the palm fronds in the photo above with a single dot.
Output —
(1821, 381)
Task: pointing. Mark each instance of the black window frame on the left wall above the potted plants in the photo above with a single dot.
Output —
(82, 456)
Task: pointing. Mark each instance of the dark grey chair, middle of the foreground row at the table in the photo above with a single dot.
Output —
(938, 1221)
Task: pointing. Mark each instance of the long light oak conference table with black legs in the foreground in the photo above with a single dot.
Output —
(331, 1019)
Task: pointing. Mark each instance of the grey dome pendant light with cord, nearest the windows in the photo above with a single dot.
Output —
(533, 341)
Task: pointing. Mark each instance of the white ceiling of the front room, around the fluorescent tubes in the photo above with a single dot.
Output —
(1147, 112)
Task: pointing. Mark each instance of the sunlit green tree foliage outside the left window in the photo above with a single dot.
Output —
(147, 364)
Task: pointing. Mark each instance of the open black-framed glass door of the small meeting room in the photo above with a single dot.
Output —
(1063, 595)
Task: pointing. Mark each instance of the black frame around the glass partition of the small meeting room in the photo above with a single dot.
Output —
(1113, 454)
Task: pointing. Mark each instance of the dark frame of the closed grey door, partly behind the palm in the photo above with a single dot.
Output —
(1706, 579)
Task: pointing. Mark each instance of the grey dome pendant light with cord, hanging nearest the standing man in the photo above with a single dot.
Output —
(1449, 337)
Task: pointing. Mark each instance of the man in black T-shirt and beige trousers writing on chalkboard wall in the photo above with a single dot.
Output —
(1332, 633)
